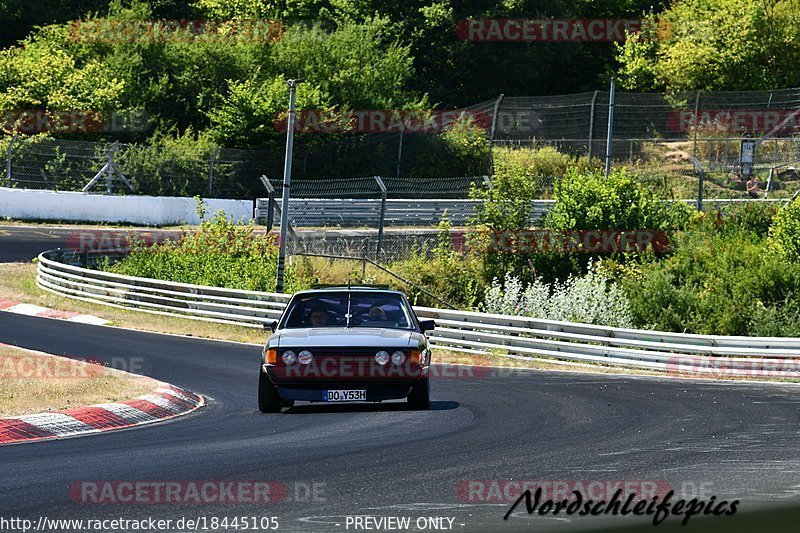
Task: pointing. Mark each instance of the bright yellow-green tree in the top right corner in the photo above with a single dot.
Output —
(716, 45)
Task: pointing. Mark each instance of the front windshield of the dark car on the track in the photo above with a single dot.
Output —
(380, 310)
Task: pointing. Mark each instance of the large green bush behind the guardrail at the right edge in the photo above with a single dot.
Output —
(714, 284)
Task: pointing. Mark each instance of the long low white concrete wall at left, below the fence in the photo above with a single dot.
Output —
(25, 204)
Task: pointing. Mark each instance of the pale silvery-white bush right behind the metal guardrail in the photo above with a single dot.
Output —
(589, 299)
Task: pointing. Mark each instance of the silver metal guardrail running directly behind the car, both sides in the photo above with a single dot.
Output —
(456, 330)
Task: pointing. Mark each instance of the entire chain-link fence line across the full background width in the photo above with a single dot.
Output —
(666, 140)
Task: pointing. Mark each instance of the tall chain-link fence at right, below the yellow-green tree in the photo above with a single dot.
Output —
(669, 139)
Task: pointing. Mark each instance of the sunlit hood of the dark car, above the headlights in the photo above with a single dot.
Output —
(346, 337)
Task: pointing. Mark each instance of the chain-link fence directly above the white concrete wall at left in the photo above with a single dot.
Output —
(61, 165)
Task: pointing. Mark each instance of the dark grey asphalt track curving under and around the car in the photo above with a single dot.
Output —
(734, 440)
